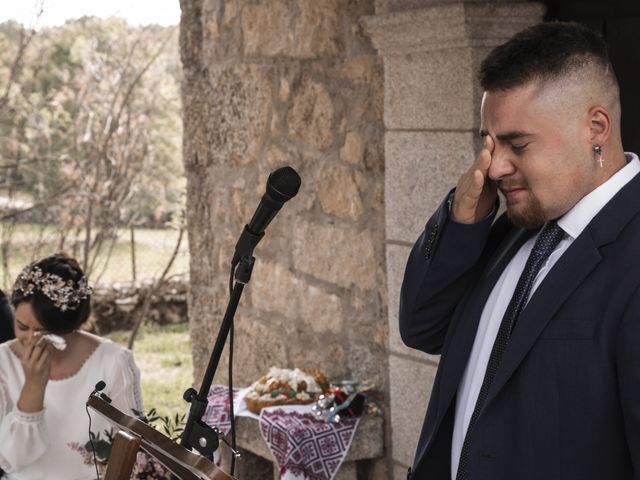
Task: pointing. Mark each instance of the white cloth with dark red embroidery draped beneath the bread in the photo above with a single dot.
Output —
(305, 448)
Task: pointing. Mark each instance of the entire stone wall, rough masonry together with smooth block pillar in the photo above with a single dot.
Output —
(275, 82)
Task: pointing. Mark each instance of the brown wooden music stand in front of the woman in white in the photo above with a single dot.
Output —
(183, 463)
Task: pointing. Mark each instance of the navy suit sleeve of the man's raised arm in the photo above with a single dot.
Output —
(441, 264)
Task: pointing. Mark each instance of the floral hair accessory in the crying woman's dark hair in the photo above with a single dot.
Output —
(65, 294)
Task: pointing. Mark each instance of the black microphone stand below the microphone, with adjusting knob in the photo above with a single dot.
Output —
(198, 434)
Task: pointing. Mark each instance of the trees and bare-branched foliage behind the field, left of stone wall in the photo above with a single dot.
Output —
(91, 127)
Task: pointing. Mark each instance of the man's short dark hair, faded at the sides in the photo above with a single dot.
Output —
(545, 51)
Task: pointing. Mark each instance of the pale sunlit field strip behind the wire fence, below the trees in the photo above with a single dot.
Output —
(153, 250)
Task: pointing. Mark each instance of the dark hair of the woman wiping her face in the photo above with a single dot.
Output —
(53, 318)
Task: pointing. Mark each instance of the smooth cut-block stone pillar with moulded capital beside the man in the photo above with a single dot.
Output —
(431, 57)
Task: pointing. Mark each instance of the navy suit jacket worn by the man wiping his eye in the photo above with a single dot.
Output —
(565, 402)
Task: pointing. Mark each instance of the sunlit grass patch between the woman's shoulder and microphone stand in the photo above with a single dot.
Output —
(163, 354)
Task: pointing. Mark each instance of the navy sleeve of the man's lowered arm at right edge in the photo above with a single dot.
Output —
(628, 367)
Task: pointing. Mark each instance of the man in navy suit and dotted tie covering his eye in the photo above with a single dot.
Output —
(536, 315)
